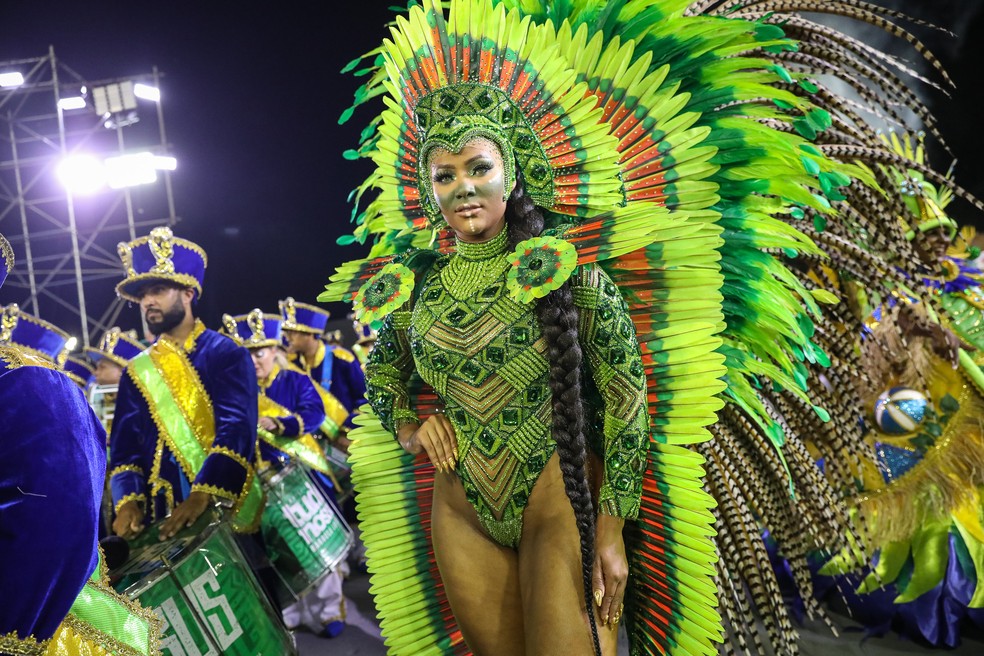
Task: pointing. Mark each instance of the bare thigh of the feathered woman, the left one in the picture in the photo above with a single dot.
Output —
(481, 577)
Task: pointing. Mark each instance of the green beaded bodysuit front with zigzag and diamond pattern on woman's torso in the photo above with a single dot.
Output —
(484, 354)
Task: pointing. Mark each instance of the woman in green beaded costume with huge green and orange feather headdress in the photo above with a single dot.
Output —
(665, 162)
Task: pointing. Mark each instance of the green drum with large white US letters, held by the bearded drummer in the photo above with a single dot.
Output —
(200, 585)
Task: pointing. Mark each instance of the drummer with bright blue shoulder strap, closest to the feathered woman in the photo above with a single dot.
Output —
(333, 367)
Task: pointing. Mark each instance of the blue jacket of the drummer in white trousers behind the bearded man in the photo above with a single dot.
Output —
(295, 392)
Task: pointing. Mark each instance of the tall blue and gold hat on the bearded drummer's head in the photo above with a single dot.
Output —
(160, 257)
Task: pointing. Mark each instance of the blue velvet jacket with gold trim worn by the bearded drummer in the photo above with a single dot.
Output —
(229, 379)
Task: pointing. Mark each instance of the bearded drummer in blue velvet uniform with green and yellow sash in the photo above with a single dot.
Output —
(184, 430)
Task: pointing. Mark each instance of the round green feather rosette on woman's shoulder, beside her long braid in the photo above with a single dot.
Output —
(539, 266)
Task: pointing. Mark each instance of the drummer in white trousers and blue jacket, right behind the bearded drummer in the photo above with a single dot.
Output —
(290, 411)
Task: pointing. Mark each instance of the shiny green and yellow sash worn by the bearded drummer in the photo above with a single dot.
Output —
(182, 412)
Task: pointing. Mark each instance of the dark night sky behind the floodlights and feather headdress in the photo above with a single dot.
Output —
(264, 160)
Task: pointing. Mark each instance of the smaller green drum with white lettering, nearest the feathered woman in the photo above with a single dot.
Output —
(304, 533)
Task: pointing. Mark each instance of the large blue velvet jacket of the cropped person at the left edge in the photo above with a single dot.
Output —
(52, 469)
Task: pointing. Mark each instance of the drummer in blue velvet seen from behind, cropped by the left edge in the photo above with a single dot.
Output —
(52, 463)
